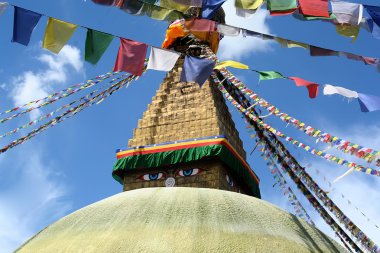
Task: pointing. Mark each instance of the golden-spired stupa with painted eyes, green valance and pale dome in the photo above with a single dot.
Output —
(187, 185)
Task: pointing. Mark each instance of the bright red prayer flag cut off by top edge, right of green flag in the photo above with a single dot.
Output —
(316, 8)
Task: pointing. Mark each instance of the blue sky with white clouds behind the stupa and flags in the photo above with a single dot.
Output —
(69, 166)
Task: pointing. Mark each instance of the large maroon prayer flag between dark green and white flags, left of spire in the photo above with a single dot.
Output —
(131, 57)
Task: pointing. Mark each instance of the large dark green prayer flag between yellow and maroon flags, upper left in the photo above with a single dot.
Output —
(96, 44)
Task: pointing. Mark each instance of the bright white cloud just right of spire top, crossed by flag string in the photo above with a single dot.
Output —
(238, 47)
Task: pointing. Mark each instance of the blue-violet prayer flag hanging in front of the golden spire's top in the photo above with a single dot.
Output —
(196, 70)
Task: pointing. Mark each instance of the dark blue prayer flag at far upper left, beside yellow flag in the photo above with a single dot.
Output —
(24, 23)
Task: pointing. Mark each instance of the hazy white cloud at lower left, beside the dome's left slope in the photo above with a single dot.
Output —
(33, 201)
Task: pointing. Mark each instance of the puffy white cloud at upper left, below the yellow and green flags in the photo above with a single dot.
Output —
(32, 85)
